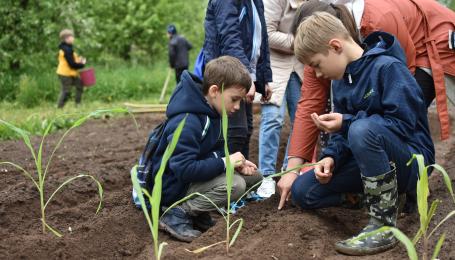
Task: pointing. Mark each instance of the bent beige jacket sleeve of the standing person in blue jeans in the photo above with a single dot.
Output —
(278, 41)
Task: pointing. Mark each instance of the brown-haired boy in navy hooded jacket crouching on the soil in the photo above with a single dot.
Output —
(198, 161)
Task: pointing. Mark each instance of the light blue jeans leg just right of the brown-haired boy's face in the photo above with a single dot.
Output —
(269, 138)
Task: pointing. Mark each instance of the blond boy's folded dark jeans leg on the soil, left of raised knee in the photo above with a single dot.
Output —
(308, 193)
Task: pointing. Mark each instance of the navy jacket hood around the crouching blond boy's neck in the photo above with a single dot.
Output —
(376, 44)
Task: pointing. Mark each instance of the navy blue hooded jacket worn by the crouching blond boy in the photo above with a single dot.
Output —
(380, 87)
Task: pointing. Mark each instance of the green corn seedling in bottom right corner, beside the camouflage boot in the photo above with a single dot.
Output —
(426, 214)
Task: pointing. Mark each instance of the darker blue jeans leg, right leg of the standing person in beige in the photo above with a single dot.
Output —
(291, 99)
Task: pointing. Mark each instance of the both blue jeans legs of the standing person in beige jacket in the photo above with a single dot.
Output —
(272, 120)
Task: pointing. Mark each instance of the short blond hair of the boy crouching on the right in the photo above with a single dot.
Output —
(314, 34)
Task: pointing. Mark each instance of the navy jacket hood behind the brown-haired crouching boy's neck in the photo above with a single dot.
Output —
(188, 98)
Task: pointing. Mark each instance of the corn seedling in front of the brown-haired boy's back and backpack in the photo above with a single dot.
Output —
(155, 197)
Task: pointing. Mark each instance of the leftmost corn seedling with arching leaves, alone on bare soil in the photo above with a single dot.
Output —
(39, 180)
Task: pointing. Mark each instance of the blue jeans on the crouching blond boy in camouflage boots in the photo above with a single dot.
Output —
(373, 146)
